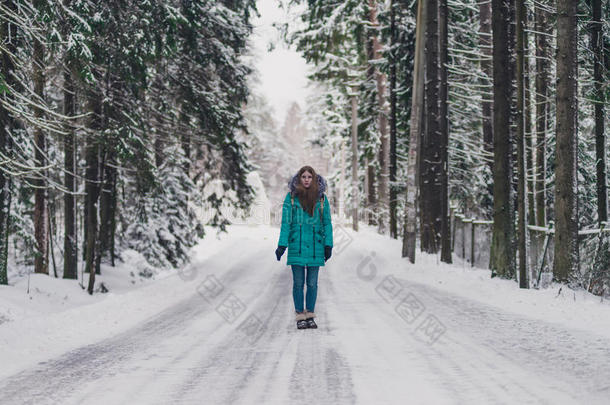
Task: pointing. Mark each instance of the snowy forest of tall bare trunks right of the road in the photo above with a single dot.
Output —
(458, 114)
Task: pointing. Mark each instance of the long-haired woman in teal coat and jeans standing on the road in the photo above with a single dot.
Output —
(308, 234)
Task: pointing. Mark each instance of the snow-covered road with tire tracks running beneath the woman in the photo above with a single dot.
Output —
(383, 338)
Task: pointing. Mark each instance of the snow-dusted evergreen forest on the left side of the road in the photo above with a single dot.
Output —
(113, 115)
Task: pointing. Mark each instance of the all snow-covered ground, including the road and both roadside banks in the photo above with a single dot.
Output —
(389, 332)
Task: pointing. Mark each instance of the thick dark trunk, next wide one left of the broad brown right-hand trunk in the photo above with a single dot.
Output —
(502, 260)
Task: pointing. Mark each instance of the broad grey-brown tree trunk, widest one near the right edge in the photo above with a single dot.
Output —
(565, 264)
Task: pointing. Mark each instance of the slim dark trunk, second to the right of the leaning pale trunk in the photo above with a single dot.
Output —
(444, 132)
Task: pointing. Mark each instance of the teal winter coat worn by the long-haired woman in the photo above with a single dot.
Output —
(305, 235)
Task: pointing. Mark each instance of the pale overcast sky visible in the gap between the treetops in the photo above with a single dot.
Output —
(282, 71)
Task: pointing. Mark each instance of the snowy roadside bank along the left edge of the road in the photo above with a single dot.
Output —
(58, 315)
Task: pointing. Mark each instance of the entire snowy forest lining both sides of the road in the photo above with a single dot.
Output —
(484, 118)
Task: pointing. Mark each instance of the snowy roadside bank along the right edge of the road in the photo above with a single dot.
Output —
(576, 310)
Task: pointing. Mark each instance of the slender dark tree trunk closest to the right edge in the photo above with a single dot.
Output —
(597, 42)
